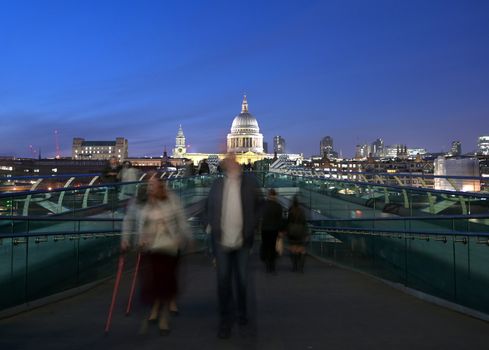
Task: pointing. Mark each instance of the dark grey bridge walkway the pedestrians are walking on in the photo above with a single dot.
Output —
(325, 308)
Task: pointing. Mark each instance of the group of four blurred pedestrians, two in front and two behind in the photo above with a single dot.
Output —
(234, 210)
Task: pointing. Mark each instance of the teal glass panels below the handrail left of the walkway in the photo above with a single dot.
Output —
(34, 265)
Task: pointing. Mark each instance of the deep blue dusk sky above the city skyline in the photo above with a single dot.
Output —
(411, 72)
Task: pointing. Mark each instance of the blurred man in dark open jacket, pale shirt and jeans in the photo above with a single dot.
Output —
(233, 209)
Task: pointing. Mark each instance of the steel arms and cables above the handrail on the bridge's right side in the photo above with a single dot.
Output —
(354, 199)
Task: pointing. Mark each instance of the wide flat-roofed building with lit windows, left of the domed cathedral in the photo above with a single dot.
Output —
(99, 150)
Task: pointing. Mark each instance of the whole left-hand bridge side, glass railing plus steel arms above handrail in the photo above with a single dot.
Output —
(46, 252)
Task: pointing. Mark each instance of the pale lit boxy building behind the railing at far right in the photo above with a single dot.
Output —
(457, 167)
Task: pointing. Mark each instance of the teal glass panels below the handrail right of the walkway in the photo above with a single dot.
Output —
(445, 257)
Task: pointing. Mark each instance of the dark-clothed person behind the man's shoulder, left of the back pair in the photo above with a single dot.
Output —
(272, 224)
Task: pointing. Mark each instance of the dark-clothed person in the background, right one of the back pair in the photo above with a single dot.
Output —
(297, 235)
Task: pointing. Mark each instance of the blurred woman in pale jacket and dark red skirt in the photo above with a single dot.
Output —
(162, 230)
